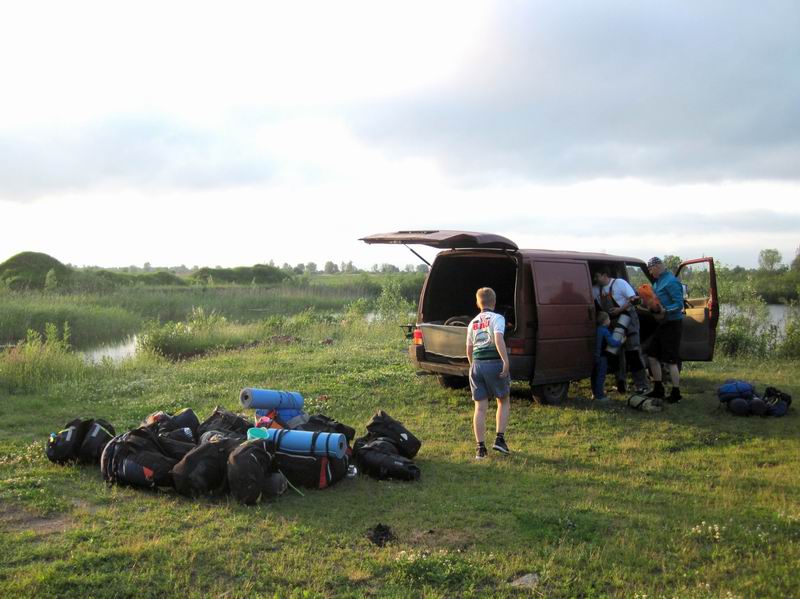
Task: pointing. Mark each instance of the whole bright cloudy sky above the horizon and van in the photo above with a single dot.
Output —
(241, 132)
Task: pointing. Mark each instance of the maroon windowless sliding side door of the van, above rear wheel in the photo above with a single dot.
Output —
(565, 330)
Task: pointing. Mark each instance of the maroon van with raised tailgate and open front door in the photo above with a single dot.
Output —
(546, 298)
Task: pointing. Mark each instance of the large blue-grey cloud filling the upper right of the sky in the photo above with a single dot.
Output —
(575, 90)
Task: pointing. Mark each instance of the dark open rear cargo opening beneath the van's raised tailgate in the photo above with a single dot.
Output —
(454, 279)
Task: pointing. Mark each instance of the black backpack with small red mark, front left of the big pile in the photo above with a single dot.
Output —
(136, 458)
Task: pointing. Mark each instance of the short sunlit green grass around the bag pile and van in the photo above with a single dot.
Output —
(596, 502)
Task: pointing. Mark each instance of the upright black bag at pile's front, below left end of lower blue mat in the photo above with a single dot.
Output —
(252, 475)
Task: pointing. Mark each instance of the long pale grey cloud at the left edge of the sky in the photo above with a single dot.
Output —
(131, 152)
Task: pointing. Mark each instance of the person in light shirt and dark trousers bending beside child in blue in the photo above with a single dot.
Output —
(617, 297)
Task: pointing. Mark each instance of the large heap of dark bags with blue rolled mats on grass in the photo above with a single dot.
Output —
(227, 454)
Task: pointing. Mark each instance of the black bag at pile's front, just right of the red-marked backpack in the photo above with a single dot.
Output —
(203, 470)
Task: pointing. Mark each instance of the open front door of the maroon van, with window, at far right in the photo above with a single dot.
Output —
(702, 309)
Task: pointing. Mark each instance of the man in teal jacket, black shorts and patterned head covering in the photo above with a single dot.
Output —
(665, 343)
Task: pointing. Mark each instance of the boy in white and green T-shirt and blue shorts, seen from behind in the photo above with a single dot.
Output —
(489, 370)
